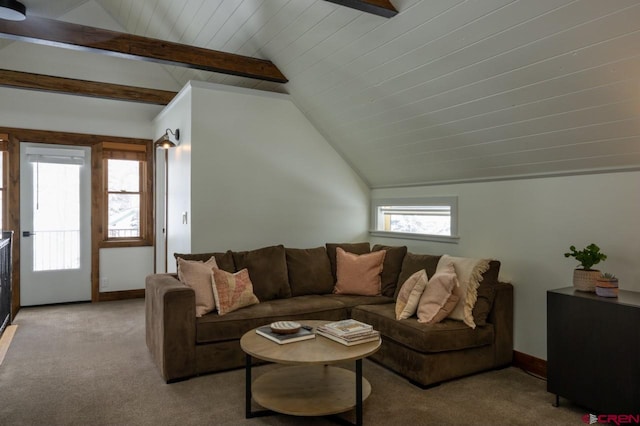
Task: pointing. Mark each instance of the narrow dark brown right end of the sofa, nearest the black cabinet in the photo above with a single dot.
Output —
(501, 316)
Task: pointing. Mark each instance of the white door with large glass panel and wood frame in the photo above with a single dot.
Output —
(55, 224)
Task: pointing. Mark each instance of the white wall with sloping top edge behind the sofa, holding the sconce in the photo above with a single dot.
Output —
(261, 174)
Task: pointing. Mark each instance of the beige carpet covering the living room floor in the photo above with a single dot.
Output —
(87, 364)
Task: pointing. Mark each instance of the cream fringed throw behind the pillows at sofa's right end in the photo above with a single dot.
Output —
(469, 273)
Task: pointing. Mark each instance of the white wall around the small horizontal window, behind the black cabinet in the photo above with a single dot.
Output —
(529, 224)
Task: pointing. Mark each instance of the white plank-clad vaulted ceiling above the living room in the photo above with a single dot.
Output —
(445, 91)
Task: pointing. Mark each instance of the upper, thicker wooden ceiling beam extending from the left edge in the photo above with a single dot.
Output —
(80, 37)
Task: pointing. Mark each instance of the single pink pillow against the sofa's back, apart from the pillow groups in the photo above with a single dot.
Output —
(359, 274)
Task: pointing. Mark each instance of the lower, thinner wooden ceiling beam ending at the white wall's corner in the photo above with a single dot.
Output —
(70, 86)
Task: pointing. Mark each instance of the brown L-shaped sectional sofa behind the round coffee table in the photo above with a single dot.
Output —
(297, 284)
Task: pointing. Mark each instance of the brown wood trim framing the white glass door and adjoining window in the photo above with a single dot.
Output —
(13, 198)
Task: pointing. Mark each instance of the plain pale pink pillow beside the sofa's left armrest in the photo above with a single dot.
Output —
(198, 275)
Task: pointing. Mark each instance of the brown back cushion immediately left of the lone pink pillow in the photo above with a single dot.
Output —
(309, 271)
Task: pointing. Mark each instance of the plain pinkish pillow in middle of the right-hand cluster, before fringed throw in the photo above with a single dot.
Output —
(439, 297)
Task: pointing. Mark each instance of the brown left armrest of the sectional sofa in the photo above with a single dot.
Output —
(170, 320)
